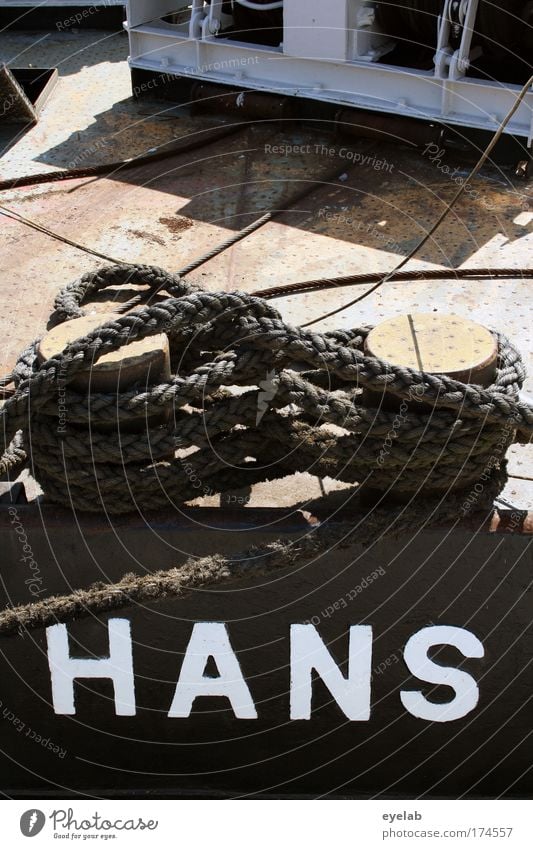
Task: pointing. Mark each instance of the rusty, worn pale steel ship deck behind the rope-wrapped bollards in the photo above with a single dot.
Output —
(379, 202)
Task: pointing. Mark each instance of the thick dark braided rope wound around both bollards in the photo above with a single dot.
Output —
(301, 406)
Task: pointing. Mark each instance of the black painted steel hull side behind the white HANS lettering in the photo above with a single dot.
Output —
(466, 578)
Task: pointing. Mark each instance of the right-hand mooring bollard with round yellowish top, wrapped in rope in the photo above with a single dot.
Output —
(438, 344)
